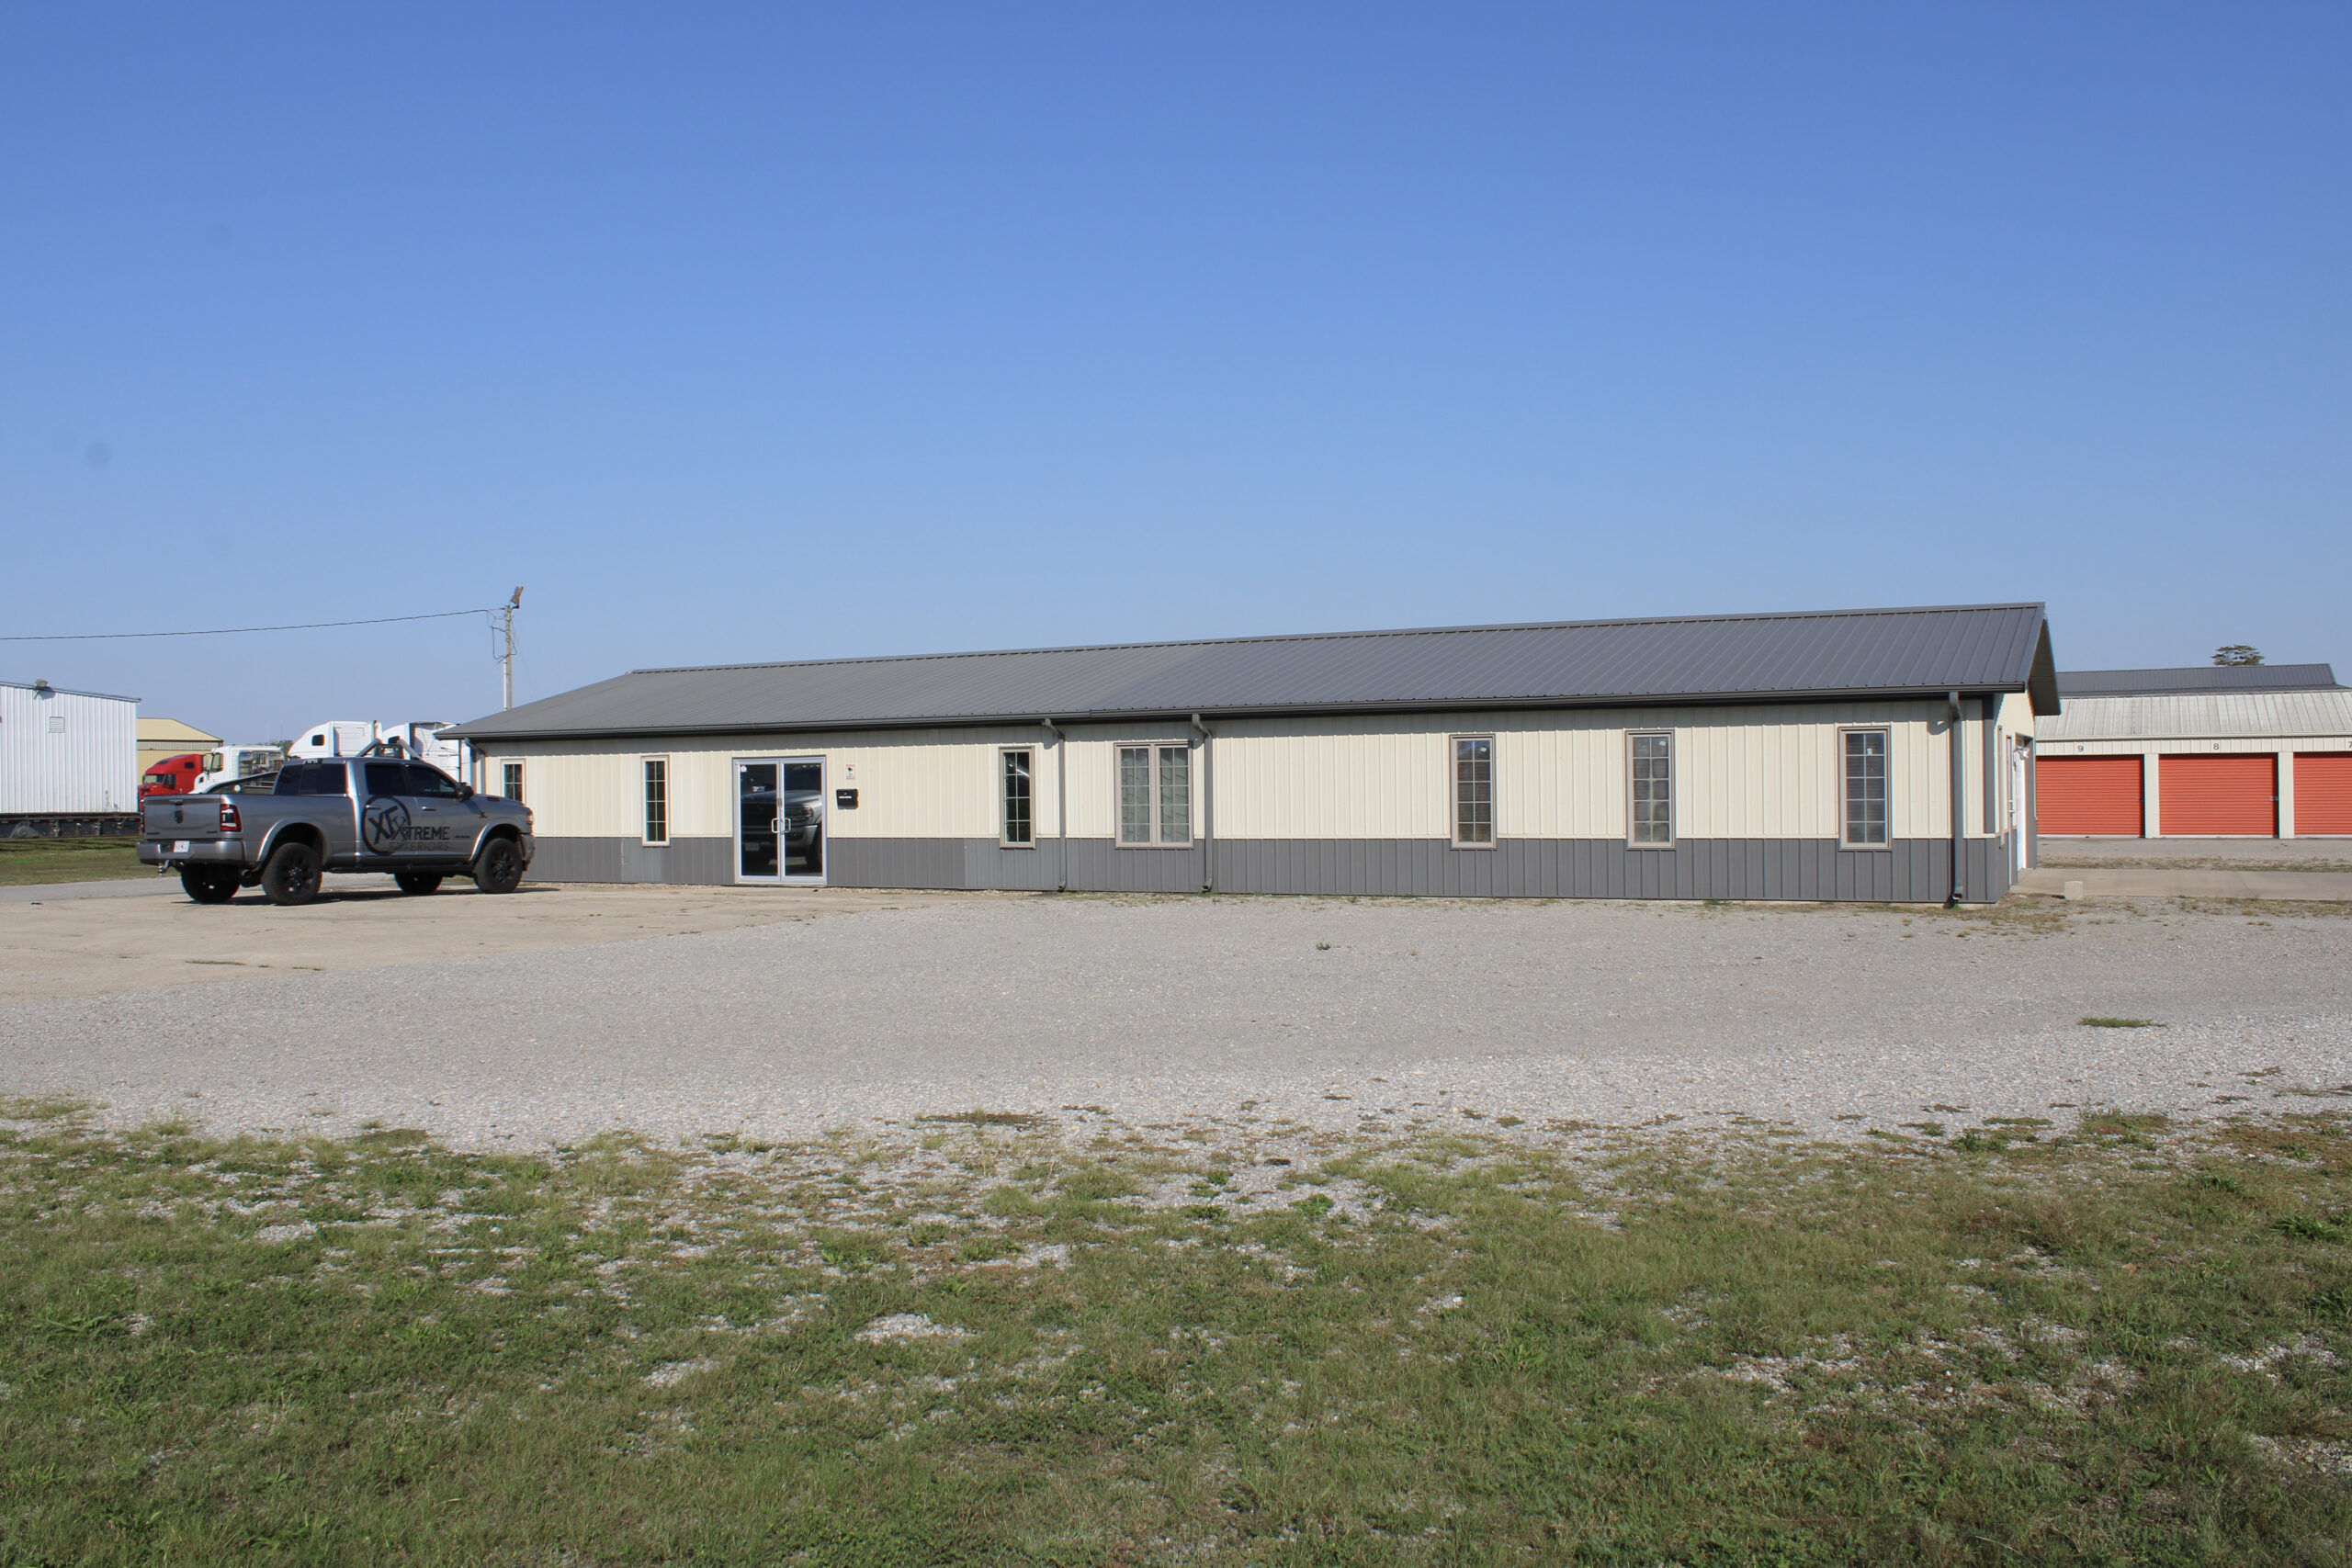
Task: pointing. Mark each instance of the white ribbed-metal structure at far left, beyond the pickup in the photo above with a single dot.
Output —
(69, 760)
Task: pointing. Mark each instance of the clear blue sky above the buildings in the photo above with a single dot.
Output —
(784, 333)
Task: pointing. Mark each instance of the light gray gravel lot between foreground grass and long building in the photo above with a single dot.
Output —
(1187, 1010)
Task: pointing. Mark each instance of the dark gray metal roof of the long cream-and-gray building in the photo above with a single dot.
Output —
(1697, 659)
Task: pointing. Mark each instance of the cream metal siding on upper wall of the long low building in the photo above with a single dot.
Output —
(1739, 775)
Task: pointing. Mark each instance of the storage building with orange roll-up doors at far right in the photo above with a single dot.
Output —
(2210, 751)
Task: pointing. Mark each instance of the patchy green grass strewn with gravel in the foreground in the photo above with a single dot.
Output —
(1003, 1343)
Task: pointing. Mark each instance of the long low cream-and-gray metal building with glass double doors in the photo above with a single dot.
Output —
(1808, 756)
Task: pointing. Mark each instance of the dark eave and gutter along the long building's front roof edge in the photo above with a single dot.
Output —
(1271, 711)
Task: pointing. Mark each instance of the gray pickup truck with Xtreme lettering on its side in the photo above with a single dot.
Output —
(370, 815)
